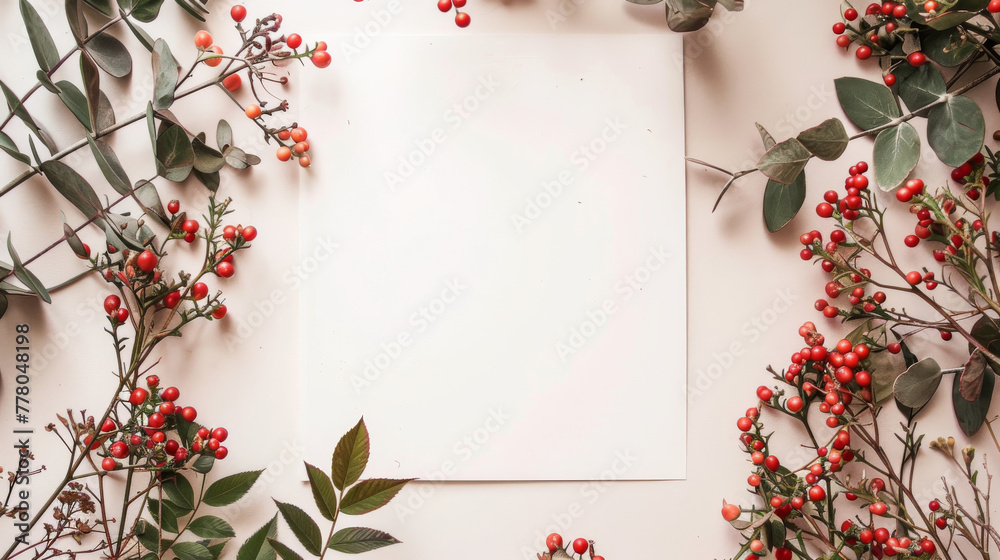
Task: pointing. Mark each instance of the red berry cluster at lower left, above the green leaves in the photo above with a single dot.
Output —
(158, 433)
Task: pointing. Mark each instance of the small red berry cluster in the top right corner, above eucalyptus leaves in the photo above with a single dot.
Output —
(879, 32)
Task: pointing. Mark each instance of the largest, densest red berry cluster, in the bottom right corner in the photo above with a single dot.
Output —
(837, 381)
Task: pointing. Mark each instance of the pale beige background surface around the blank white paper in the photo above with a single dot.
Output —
(774, 63)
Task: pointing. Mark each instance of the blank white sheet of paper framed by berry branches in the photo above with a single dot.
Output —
(505, 297)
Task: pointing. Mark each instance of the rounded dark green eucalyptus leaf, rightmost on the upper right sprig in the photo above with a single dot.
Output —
(955, 130)
